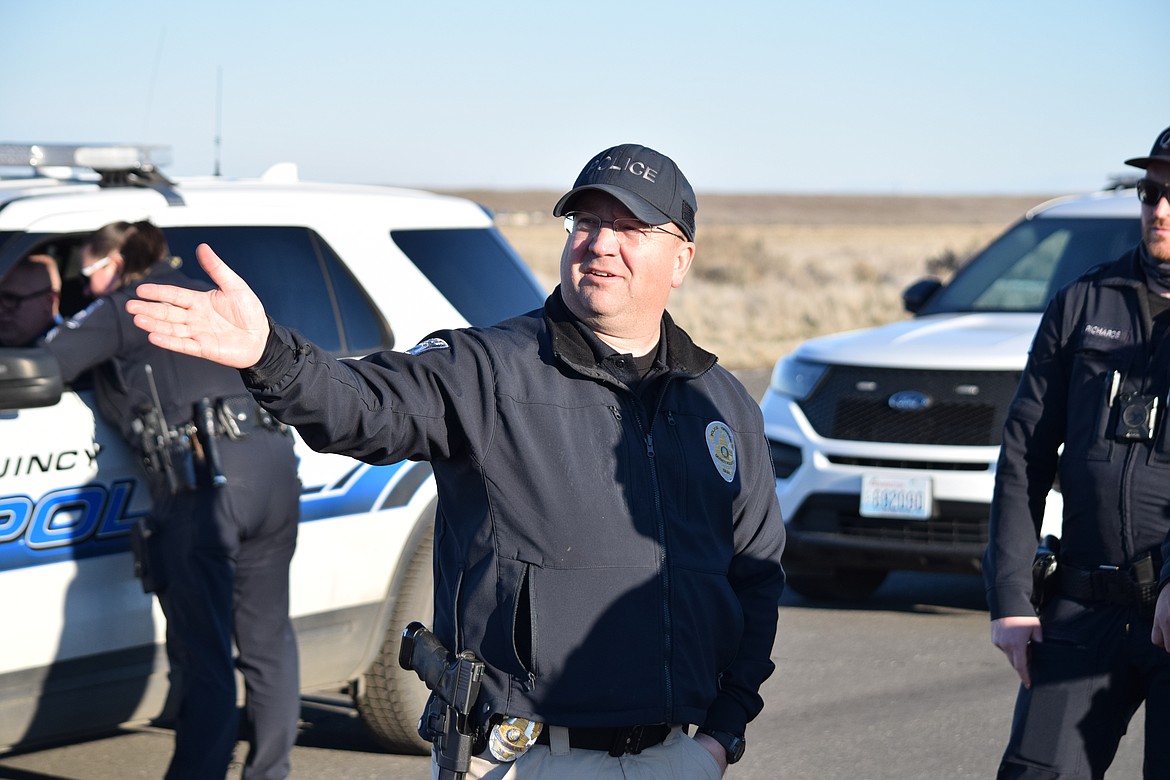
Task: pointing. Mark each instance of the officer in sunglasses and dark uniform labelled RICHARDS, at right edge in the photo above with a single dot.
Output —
(1097, 384)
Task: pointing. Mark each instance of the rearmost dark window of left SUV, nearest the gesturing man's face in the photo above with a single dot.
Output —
(476, 271)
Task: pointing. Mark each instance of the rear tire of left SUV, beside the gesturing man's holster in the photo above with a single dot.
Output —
(393, 699)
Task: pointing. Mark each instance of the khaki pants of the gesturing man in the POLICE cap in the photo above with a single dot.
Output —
(678, 758)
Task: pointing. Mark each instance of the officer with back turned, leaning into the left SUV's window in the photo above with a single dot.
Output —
(225, 514)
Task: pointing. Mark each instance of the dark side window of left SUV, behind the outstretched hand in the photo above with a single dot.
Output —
(300, 280)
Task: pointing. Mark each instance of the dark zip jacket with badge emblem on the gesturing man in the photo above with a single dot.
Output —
(611, 564)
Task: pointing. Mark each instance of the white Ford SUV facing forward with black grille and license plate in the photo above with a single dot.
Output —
(885, 440)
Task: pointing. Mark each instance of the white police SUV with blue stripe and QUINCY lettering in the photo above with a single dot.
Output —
(355, 268)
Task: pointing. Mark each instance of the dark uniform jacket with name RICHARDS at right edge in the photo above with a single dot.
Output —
(1117, 493)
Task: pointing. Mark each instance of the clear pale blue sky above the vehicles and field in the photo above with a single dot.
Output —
(858, 96)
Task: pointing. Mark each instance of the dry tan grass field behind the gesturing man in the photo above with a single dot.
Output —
(773, 271)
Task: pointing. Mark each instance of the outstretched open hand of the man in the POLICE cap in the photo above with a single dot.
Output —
(228, 326)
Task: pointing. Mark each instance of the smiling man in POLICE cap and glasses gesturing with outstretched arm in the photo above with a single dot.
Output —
(608, 540)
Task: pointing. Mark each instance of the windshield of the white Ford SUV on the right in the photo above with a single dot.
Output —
(1023, 270)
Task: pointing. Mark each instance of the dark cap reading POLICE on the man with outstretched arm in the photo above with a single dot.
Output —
(648, 183)
